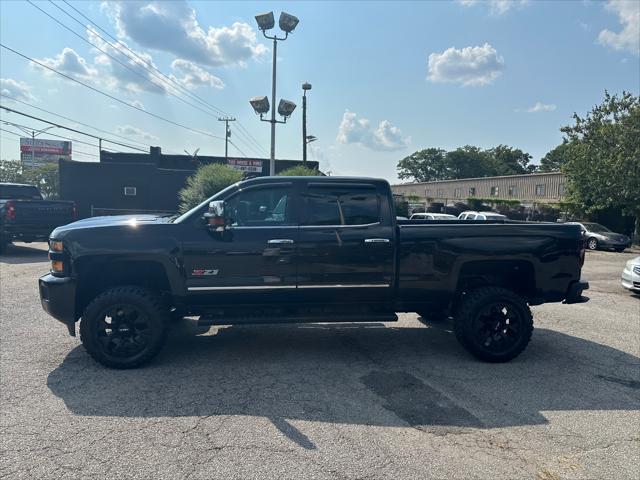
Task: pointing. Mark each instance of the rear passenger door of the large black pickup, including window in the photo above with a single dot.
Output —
(345, 244)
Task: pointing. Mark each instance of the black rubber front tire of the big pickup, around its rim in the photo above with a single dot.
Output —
(146, 302)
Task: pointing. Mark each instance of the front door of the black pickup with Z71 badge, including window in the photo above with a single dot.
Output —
(255, 260)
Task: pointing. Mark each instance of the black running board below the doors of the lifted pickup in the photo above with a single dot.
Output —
(205, 321)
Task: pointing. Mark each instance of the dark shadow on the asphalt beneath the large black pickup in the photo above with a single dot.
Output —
(366, 374)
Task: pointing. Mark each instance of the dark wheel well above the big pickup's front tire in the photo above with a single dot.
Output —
(95, 277)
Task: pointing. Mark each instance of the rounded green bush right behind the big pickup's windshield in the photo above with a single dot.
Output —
(207, 181)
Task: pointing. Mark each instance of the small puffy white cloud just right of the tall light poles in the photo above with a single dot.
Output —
(354, 130)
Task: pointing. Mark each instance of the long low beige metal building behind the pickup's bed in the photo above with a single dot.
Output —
(527, 189)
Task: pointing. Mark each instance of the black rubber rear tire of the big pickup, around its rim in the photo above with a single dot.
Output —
(470, 312)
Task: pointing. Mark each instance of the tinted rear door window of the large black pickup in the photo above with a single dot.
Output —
(330, 206)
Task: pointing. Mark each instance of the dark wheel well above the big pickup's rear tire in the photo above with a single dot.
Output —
(517, 276)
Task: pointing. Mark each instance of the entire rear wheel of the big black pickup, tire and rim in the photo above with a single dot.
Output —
(494, 324)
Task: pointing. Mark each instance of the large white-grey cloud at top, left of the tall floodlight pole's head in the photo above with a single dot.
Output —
(173, 27)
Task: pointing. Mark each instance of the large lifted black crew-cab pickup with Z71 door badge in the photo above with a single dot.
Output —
(304, 249)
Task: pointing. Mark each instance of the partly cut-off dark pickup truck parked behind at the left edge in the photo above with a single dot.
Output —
(25, 216)
